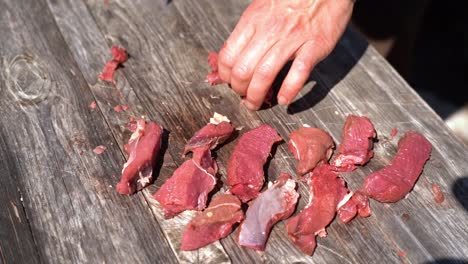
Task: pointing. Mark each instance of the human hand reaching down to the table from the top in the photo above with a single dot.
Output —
(272, 32)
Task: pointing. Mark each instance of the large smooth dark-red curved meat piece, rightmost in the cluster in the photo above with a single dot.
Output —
(394, 182)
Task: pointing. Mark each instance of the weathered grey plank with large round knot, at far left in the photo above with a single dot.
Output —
(48, 134)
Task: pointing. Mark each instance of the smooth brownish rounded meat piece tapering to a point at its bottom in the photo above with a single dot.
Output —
(311, 146)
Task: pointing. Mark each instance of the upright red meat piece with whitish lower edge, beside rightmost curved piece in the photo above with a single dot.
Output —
(357, 142)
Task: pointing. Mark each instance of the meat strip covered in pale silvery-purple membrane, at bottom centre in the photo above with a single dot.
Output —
(273, 205)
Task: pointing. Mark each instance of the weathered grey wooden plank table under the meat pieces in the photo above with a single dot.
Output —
(58, 198)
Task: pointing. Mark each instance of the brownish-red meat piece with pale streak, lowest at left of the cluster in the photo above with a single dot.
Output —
(214, 223)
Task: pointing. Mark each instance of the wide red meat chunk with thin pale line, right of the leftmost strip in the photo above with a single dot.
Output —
(189, 186)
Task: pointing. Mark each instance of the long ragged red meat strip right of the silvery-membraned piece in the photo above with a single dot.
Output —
(326, 191)
